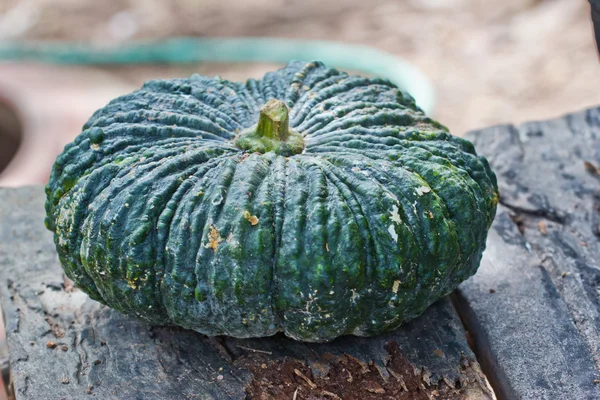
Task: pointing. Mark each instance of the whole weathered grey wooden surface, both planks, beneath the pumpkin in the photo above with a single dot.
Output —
(532, 310)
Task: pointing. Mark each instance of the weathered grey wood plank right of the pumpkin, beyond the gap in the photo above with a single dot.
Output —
(538, 335)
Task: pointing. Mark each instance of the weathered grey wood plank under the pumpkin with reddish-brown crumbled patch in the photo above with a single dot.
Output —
(102, 352)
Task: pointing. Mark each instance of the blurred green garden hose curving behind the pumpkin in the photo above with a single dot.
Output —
(233, 50)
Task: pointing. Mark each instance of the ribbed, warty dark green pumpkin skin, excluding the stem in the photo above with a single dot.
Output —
(383, 213)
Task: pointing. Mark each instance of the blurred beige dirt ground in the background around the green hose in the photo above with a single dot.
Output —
(490, 62)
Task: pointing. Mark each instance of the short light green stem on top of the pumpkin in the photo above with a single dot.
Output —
(272, 133)
